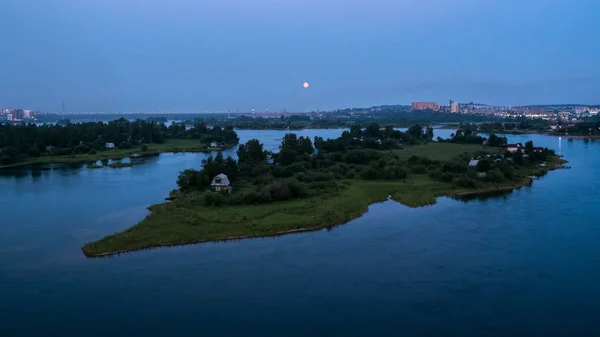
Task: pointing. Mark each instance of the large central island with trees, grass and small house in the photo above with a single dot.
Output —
(314, 184)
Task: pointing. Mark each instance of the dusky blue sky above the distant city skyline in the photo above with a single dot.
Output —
(218, 55)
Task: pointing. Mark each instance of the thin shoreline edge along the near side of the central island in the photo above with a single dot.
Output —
(489, 191)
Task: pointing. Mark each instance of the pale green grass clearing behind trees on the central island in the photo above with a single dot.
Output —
(440, 151)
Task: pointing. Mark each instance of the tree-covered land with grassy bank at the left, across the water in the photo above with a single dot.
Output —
(24, 144)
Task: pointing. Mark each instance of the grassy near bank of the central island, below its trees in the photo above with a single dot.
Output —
(184, 221)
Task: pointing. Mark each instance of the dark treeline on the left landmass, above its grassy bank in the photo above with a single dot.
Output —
(20, 142)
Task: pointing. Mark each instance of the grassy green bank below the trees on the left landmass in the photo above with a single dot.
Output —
(169, 146)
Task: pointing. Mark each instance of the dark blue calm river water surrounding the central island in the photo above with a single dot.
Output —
(520, 265)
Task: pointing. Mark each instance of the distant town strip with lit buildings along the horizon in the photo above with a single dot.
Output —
(564, 113)
